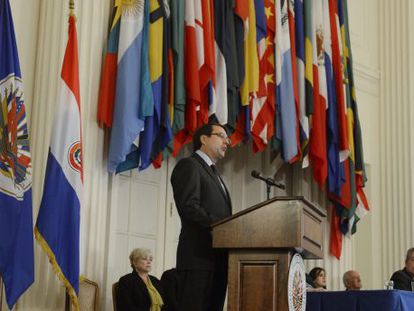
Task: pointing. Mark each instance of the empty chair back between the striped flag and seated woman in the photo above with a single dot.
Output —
(88, 296)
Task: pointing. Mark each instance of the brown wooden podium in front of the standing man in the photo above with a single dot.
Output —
(261, 241)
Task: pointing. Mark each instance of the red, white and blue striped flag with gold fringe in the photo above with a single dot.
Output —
(57, 227)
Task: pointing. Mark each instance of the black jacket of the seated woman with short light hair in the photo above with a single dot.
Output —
(132, 293)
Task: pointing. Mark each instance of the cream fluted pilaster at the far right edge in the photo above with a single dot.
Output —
(396, 130)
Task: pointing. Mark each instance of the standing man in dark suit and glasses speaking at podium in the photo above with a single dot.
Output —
(201, 199)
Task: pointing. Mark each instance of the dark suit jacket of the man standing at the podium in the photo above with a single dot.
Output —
(200, 201)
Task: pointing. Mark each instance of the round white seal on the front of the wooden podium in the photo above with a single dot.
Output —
(297, 284)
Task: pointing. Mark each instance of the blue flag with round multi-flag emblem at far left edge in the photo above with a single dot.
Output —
(16, 226)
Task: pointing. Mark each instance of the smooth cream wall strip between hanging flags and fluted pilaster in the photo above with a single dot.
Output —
(364, 25)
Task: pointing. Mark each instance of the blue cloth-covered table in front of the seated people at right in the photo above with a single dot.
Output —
(364, 300)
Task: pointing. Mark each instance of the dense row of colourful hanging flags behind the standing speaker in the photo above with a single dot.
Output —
(277, 73)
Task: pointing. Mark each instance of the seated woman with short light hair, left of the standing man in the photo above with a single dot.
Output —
(138, 290)
